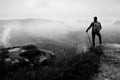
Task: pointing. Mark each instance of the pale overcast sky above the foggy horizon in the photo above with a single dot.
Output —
(60, 9)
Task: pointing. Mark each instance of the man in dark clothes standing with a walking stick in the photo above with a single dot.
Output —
(96, 27)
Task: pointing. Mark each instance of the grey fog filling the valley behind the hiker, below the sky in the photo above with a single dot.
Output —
(15, 32)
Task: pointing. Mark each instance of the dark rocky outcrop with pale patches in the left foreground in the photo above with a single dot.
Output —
(26, 55)
